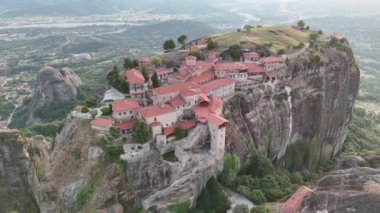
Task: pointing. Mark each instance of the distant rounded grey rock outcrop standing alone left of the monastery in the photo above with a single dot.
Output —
(53, 84)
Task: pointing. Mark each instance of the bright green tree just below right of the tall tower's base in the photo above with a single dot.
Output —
(230, 169)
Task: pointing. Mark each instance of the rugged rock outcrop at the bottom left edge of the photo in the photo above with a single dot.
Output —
(21, 165)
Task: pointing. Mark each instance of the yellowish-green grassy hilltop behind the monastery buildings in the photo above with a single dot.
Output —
(281, 37)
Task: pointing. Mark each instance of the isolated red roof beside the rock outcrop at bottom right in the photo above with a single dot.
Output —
(294, 203)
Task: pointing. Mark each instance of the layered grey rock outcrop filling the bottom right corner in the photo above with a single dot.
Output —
(351, 190)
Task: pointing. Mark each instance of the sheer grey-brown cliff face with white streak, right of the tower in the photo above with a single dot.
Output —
(315, 101)
